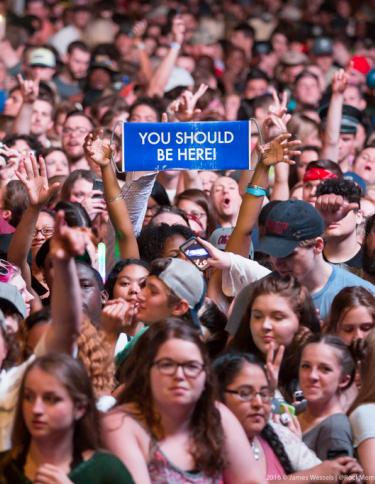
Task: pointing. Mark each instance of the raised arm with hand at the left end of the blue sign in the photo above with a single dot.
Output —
(97, 148)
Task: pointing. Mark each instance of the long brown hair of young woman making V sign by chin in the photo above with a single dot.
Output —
(301, 303)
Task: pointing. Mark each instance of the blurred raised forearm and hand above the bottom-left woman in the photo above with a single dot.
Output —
(66, 304)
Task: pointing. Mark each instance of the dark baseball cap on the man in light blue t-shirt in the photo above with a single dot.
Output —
(288, 224)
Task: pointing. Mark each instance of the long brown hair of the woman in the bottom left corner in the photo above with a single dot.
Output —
(74, 378)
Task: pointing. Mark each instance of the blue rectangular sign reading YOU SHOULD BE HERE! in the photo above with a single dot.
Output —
(186, 146)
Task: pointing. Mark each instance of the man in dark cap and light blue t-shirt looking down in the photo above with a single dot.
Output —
(294, 241)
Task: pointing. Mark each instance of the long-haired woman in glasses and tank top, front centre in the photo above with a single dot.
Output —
(167, 426)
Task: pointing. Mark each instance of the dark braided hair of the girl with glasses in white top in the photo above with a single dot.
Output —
(226, 369)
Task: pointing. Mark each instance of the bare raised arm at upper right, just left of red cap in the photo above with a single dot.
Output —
(331, 137)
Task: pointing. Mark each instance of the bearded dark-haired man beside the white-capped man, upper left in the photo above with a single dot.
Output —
(75, 70)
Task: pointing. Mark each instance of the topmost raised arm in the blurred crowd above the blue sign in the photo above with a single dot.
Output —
(160, 78)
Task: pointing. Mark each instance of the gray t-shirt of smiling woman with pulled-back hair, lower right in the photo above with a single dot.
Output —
(331, 438)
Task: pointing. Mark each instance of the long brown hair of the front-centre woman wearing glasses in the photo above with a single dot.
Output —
(207, 434)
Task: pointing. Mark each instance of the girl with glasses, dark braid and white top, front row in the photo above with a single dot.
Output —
(246, 390)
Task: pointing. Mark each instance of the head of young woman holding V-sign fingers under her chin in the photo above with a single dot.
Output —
(280, 314)
